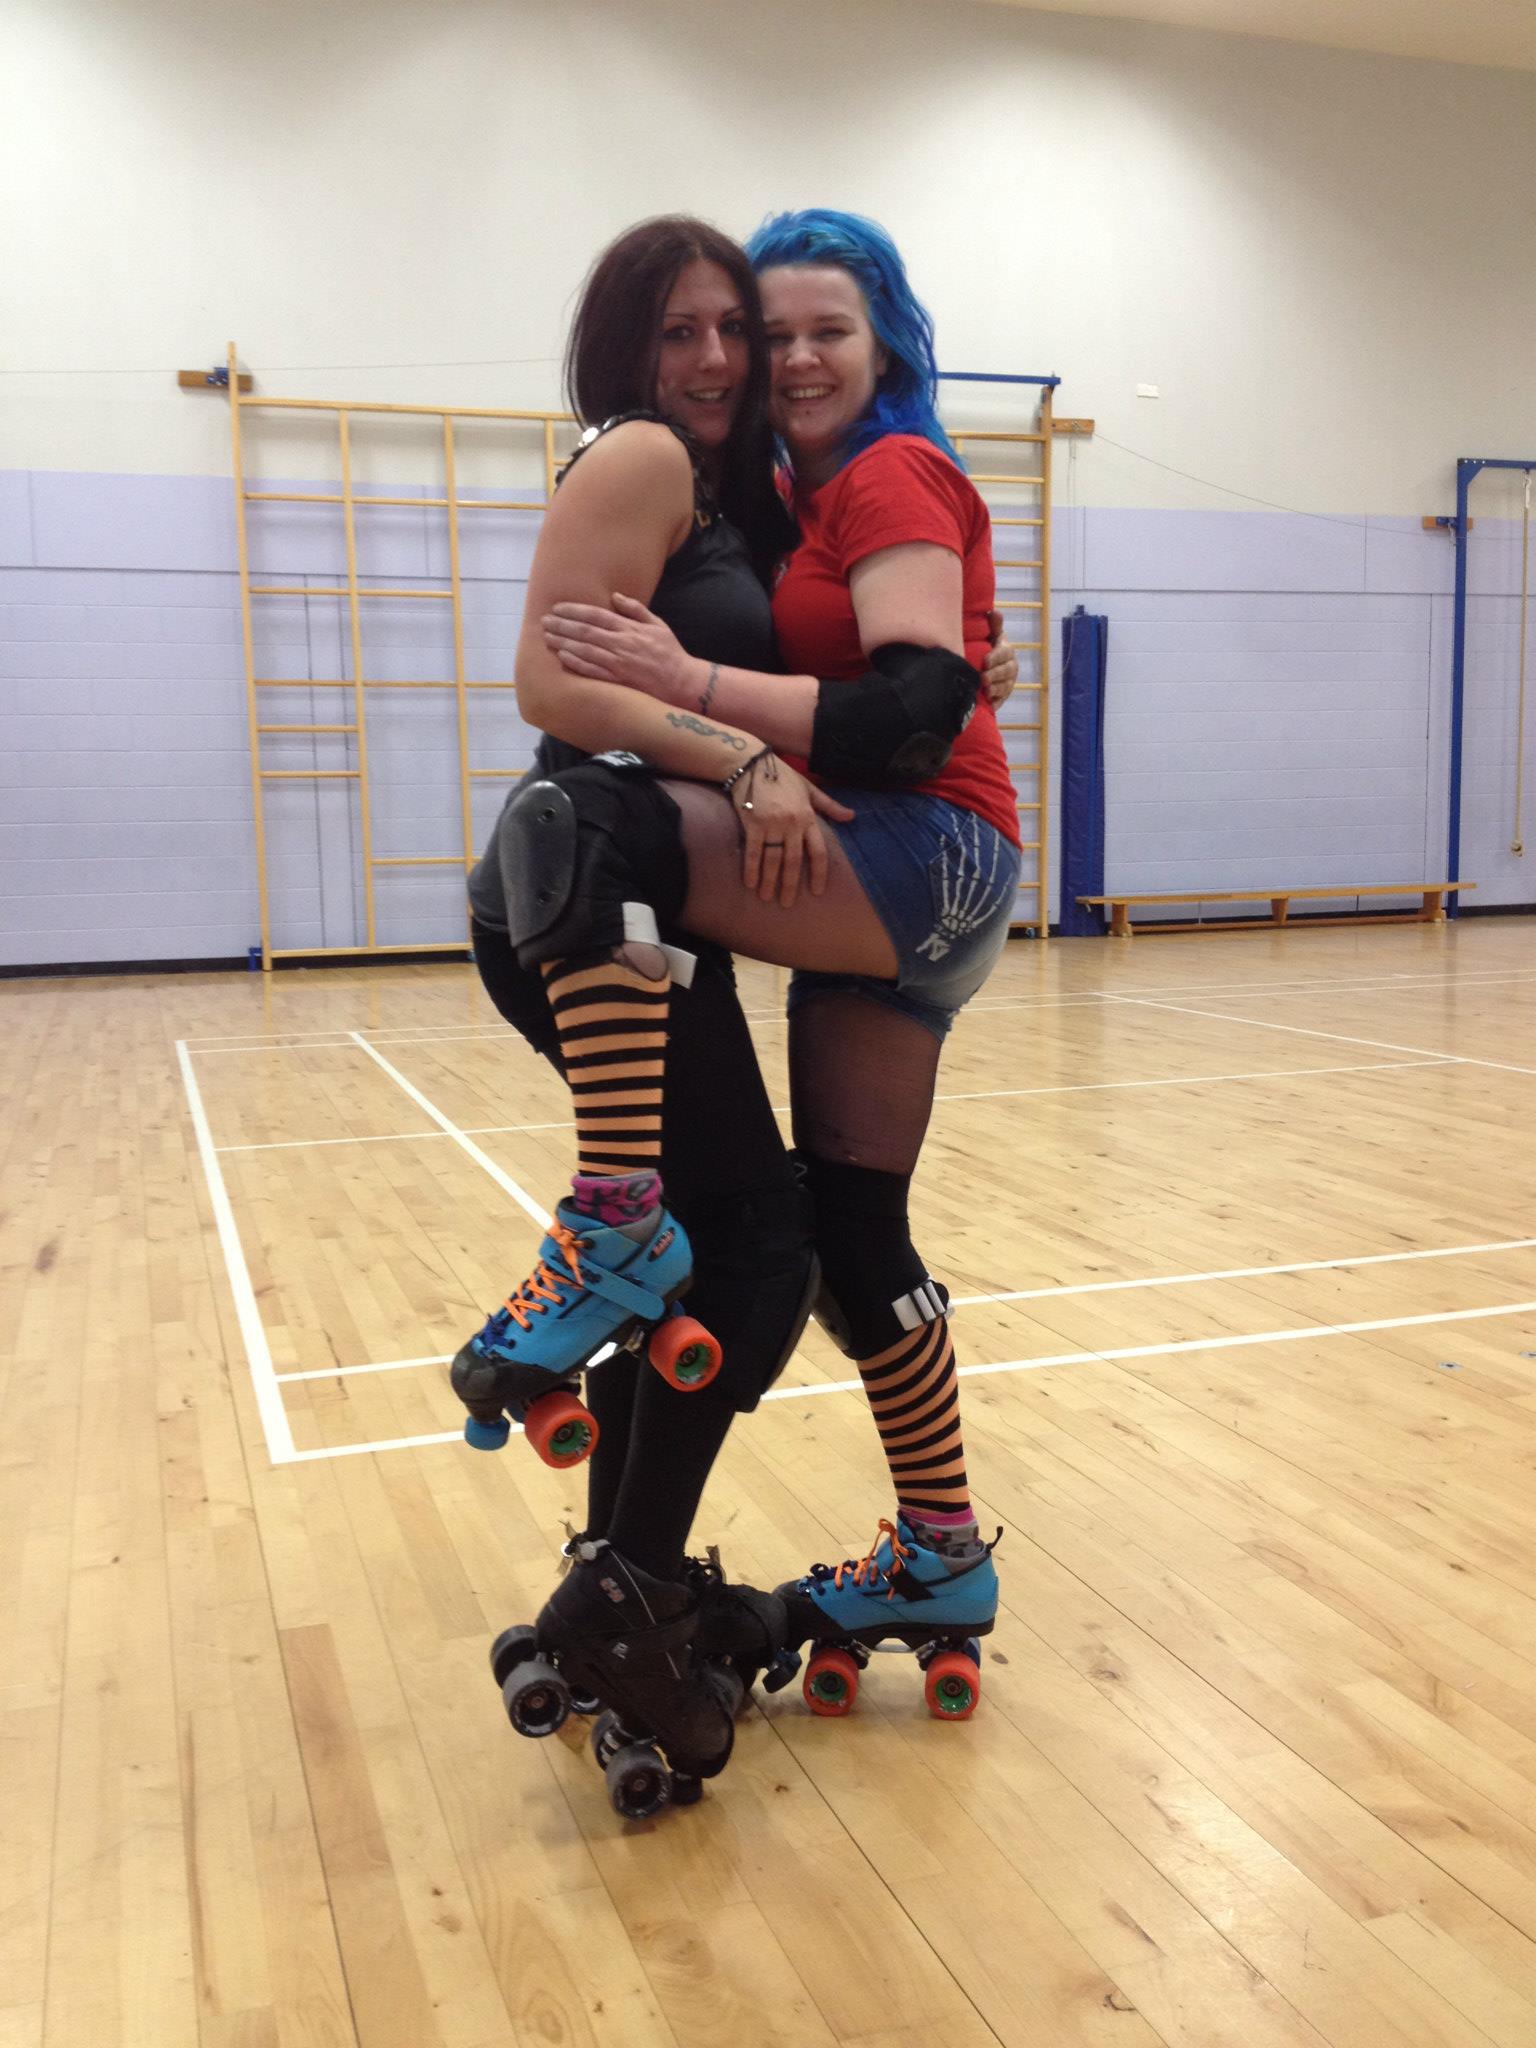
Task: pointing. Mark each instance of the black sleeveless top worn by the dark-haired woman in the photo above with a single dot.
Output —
(714, 601)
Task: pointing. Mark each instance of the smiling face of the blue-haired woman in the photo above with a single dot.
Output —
(826, 361)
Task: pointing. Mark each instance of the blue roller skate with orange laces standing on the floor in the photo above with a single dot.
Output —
(900, 1592)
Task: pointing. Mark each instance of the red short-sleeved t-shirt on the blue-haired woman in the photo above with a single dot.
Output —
(898, 490)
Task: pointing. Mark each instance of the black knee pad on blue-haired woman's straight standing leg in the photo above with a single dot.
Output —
(873, 1283)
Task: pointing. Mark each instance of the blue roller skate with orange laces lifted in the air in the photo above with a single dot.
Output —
(593, 1287)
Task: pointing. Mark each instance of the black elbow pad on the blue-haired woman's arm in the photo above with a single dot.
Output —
(898, 722)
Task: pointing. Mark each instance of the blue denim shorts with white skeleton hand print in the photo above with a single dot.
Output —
(943, 884)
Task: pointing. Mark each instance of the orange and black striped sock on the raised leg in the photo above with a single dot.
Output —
(613, 1037)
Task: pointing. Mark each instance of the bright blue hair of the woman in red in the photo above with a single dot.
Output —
(906, 398)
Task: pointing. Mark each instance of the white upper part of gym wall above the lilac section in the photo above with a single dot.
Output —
(1322, 259)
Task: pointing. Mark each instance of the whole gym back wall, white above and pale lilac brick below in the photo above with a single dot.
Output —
(1322, 259)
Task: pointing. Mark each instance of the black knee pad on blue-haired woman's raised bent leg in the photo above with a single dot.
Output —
(581, 845)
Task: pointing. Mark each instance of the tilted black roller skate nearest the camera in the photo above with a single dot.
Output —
(613, 1633)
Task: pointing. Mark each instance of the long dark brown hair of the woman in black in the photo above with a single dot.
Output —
(615, 345)
